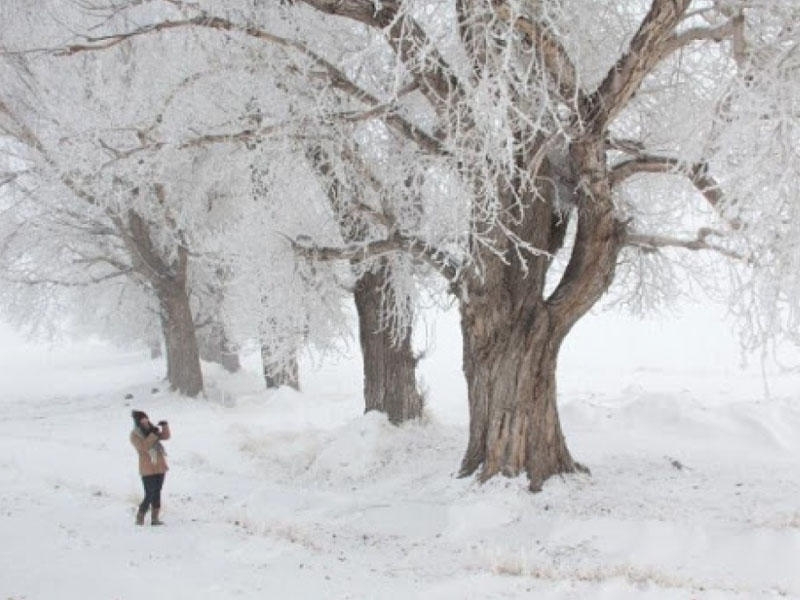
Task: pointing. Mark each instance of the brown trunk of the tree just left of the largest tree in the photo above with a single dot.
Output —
(390, 384)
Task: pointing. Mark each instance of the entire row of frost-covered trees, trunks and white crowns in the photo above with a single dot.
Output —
(232, 173)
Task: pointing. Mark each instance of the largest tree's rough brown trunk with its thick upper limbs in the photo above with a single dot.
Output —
(512, 330)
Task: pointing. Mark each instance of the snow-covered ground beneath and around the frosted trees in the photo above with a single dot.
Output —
(694, 493)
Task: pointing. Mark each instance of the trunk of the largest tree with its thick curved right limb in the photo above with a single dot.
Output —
(512, 333)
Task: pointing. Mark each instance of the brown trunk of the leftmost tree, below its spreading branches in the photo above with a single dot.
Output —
(183, 357)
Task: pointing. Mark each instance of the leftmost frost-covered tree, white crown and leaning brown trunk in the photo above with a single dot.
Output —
(107, 195)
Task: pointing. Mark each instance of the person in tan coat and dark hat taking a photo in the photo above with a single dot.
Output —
(147, 438)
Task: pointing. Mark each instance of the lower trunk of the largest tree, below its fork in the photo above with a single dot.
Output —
(510, 368)
